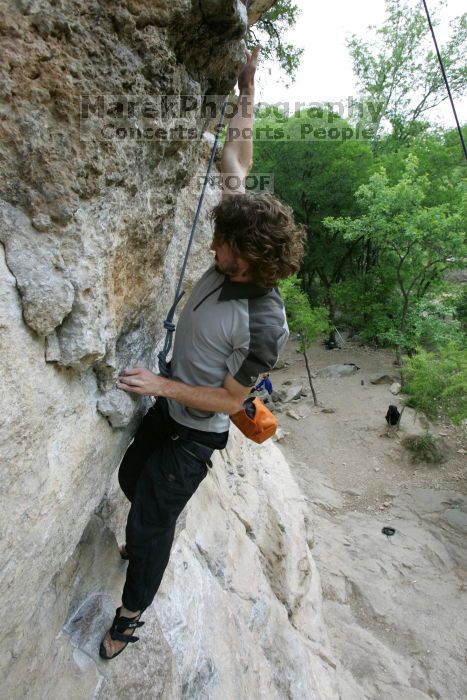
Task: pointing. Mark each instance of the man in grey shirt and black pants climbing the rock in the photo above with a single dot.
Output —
(230, 330)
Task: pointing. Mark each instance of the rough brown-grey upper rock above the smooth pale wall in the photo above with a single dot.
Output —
(89, 203)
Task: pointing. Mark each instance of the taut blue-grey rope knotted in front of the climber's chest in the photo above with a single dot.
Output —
(169, 325)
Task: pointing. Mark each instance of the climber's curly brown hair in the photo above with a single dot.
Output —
(260, 229)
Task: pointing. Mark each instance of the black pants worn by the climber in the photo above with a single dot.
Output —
(159, 473)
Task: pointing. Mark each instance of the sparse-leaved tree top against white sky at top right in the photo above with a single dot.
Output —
(398, 71)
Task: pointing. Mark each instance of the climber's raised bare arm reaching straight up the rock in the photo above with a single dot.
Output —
(237, 155)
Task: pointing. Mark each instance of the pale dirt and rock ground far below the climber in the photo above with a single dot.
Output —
(395, 607)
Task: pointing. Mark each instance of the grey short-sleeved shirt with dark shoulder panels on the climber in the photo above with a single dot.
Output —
(225, 327)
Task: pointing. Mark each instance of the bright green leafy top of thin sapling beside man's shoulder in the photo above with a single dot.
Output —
(309, 323)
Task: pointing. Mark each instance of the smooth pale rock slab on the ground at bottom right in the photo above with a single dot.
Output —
(380, 593)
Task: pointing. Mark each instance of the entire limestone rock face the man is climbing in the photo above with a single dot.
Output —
(93, 227)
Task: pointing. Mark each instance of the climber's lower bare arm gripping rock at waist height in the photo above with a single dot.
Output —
(226, 399)
